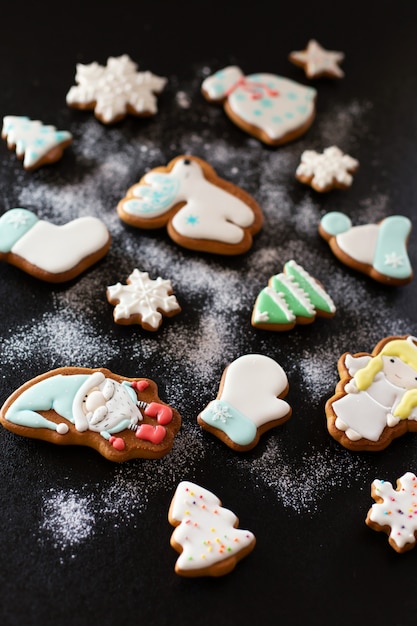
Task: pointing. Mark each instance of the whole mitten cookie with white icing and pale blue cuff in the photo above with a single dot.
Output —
(249, 402)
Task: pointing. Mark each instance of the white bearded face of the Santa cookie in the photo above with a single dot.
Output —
(108, 405)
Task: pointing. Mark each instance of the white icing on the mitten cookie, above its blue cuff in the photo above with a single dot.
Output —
(252, 385)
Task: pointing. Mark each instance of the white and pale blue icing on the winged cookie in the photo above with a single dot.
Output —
(209, 212)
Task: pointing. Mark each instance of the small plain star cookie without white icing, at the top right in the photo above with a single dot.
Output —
(317, 61)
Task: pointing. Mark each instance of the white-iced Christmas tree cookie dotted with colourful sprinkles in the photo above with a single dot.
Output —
(206, 534)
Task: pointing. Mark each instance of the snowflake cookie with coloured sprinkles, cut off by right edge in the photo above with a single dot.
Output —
(395, 511)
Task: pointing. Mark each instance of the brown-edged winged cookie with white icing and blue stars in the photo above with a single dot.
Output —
(200, 210)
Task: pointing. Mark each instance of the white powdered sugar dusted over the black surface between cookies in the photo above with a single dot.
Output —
(190, 352)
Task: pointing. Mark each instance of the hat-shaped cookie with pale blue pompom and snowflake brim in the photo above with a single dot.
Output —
(377, 250)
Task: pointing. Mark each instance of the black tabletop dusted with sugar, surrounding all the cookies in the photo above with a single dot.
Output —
(85, 541)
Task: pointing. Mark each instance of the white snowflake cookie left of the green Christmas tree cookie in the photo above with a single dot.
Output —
(143, 300)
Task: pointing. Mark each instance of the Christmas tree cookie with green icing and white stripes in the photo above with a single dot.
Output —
(291, 297)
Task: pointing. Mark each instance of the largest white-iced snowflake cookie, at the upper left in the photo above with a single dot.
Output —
(115, 90)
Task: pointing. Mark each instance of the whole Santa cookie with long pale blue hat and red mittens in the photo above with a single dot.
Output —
(122, 418)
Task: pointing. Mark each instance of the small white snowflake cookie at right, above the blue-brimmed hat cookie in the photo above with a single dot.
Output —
(328, 170)
